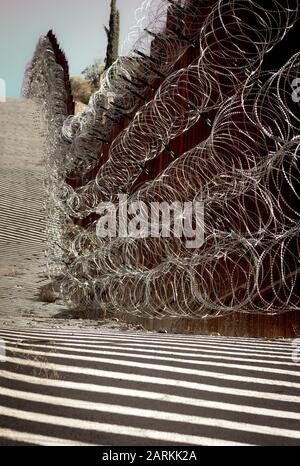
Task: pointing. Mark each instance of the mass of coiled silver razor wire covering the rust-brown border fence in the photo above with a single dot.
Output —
(246, 171)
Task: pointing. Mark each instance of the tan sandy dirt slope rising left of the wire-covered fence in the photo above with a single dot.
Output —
(22, 224)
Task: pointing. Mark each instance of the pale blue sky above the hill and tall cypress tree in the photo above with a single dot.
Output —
(78, 25)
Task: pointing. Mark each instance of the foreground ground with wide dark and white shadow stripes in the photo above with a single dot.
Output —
(102, 388)
